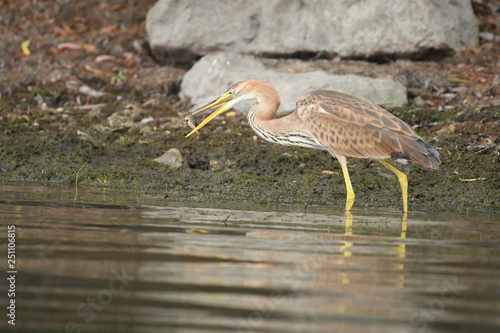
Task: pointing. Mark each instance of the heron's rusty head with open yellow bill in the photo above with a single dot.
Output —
(237, 93)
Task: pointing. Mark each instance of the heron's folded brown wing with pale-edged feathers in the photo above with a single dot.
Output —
(349, 126)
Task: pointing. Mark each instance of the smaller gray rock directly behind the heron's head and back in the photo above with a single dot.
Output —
(214, 73)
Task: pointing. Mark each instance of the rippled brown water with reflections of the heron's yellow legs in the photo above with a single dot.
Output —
(100, 261)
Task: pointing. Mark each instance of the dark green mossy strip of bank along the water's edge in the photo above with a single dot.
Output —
(48, 146)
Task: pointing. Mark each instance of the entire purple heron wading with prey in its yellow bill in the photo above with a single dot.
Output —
(343, 125)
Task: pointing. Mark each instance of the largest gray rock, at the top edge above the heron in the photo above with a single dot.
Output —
(350, 28)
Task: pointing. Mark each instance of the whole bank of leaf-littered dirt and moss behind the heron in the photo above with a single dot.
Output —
(82, 101)
